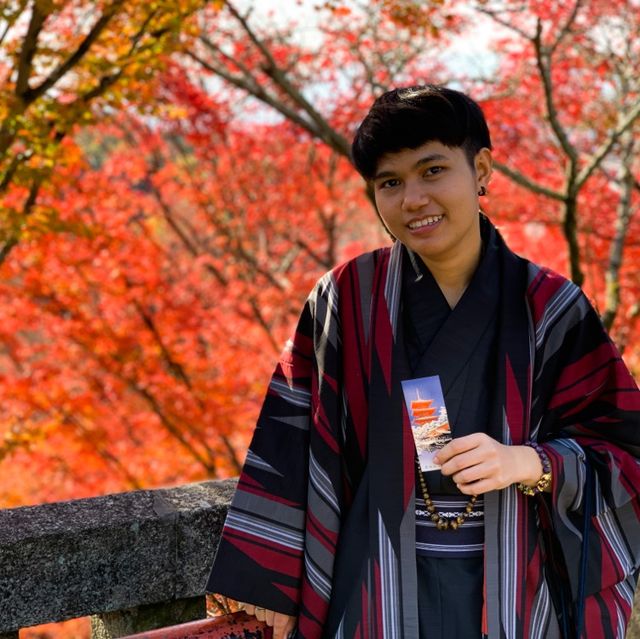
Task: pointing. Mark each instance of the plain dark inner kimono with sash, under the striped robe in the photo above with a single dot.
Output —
(458, 345)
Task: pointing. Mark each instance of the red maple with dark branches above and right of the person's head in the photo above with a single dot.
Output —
(561, 91)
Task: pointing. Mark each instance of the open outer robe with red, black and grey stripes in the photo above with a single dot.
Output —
(322, 525)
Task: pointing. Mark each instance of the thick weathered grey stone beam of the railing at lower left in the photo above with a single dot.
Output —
(89, 556)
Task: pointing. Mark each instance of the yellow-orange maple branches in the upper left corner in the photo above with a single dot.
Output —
(62, 62)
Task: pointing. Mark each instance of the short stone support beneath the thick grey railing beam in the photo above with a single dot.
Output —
(127, 622)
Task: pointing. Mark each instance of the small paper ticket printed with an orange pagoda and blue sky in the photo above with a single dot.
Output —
(429, 419)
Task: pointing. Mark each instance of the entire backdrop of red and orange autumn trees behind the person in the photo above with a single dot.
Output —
(164, 233)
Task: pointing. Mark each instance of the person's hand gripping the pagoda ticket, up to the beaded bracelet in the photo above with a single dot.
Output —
(478, 463)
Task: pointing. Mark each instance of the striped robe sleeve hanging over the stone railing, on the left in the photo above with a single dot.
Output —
(260, 555)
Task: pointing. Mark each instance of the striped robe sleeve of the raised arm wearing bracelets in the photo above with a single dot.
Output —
(588, 416)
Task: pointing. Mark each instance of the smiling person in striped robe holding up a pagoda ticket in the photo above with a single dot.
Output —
(530, 526)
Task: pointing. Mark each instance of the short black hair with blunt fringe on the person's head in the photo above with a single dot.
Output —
(408, 117)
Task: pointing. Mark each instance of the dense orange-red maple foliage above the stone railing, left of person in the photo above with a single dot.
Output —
(142, 347)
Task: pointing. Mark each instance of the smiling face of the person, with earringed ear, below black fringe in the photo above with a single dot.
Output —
(428, 198)
